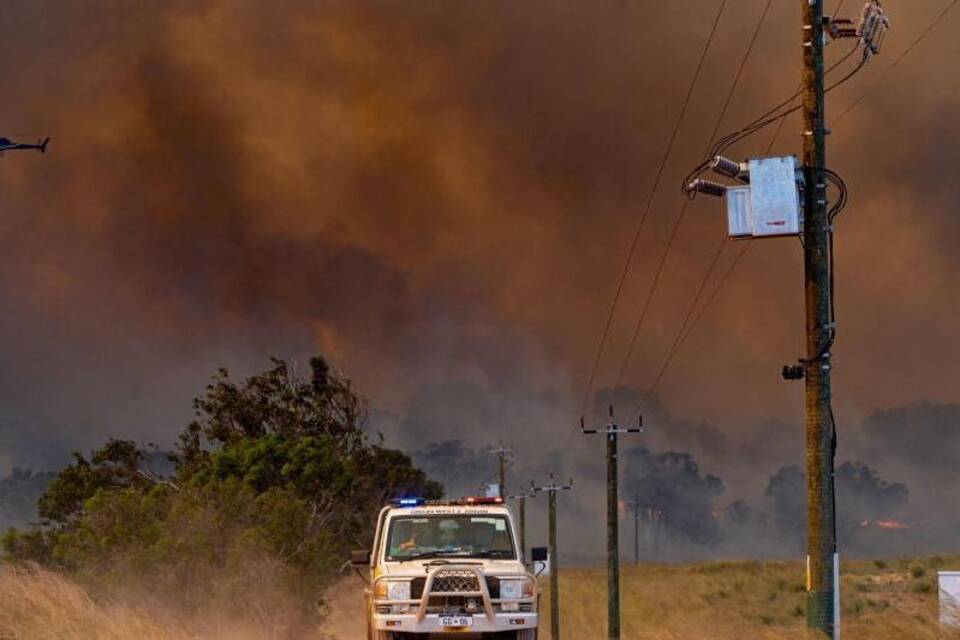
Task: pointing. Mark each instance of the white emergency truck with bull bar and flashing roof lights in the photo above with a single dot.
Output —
(441, 568)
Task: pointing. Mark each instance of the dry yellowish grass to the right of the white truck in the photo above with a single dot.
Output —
(721, 600)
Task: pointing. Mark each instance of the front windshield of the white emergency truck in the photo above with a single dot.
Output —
(450, 535)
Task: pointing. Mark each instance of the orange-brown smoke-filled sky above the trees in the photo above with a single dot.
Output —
(442, 193)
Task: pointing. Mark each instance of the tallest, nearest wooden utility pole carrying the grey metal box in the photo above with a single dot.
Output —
(822, 558)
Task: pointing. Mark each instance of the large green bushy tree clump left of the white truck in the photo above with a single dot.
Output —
(275, 480)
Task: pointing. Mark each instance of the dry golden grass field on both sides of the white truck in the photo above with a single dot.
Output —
(894, 600)
